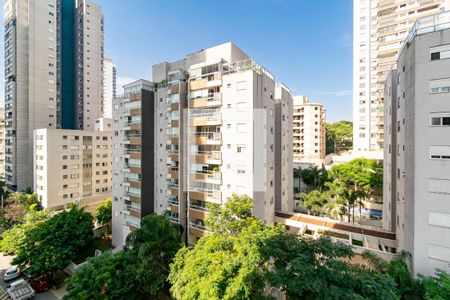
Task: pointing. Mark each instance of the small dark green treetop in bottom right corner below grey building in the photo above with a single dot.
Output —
(436, 287)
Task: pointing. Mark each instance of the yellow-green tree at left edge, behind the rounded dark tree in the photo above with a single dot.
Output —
(15, 237)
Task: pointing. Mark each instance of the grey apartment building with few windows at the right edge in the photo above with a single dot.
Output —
(417, 146)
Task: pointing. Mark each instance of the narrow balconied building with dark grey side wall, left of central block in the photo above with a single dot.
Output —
(133, 158)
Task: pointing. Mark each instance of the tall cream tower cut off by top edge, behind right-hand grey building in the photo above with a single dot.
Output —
(379, 31)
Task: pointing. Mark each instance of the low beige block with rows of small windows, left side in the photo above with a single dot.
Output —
(72, 167)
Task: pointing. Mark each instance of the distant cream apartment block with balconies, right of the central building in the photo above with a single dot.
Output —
(308, 131)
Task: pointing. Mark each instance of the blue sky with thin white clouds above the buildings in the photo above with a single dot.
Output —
(306, 44)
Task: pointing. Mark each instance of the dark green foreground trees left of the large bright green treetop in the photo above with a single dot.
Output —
(139, 271)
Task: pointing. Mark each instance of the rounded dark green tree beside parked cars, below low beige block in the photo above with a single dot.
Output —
(52, 244)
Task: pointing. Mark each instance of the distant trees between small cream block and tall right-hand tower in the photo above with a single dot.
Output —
(339, 136)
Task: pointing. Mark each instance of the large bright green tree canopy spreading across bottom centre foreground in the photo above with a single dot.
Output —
(250, 260)
